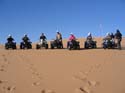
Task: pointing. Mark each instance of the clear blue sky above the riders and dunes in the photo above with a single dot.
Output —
(32, 17)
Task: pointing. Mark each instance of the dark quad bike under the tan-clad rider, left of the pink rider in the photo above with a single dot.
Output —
(56, 44)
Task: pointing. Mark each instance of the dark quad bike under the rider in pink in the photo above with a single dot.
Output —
(73, 45)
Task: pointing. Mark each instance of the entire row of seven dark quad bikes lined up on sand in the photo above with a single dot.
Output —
(73, 45)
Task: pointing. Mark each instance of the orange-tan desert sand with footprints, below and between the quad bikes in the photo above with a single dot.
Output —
(63, 71)
